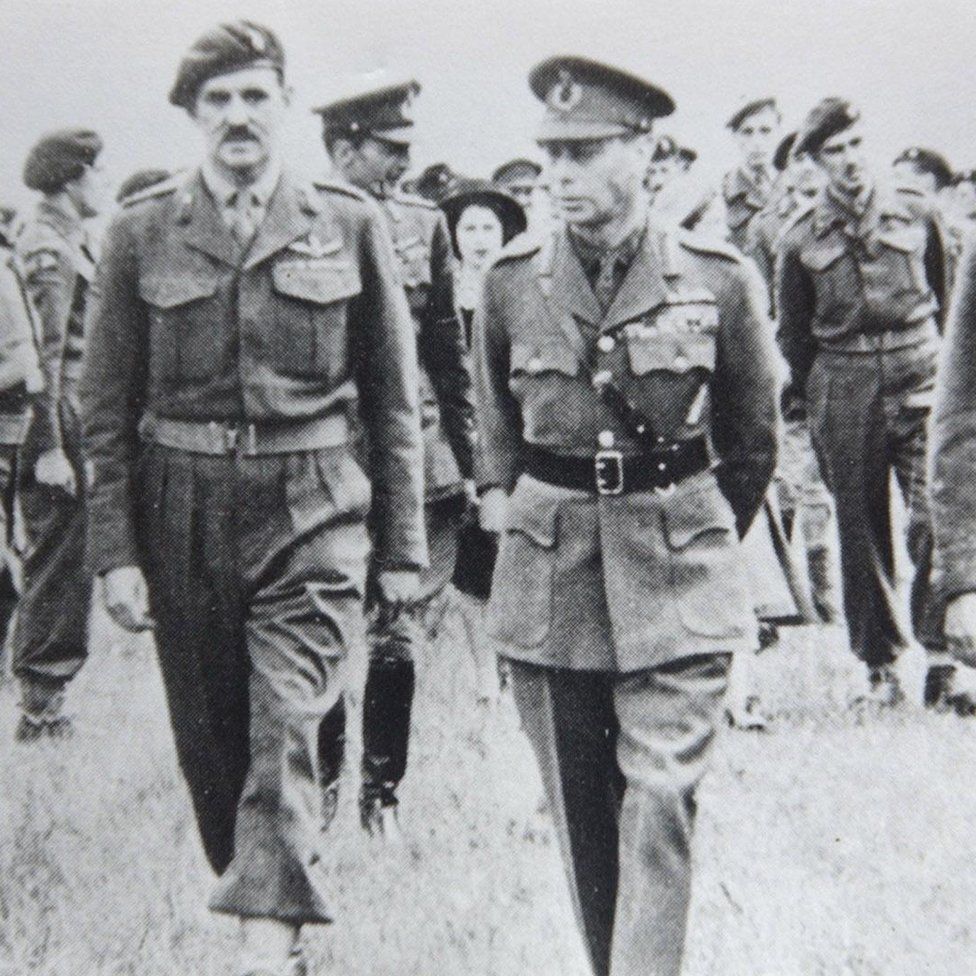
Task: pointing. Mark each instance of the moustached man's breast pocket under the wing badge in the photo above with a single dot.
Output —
(311, 301)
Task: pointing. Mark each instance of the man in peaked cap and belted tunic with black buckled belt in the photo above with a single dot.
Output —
(627, 409)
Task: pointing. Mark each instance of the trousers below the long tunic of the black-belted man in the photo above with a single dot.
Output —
(620, 757)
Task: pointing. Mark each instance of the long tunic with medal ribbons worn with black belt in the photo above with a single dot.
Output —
(620, 583)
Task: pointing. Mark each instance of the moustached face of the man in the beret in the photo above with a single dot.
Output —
(241, 116)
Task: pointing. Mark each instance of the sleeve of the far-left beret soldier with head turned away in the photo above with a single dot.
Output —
(50, 278)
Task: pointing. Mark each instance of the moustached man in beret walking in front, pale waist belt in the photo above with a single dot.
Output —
(240, 324)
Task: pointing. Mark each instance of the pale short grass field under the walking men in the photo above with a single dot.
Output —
(838, 844)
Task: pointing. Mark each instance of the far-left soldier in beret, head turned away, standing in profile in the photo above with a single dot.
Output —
(58, 260)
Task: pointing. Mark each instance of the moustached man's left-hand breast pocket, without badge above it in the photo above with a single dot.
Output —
(185, 327)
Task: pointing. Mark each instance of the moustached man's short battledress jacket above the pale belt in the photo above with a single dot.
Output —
(310, 321)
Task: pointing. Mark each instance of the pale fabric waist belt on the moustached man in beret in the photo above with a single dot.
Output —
(246, 439)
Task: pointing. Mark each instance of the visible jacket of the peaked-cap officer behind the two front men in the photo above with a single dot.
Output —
(423, 248)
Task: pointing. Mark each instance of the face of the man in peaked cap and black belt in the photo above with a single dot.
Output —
(595, 182)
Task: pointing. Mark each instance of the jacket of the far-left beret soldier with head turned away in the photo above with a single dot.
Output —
(58, 266)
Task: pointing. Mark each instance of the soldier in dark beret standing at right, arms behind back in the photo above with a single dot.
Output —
(860, 292)
